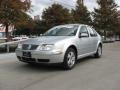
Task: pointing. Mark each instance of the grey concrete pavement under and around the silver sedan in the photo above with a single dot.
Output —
(89, 73)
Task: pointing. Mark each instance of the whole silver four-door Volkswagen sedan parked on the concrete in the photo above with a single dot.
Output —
(62, 44)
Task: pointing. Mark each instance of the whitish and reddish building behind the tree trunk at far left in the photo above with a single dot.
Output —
(2, 30)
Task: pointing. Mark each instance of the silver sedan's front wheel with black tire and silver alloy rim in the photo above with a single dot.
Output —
(69, 59)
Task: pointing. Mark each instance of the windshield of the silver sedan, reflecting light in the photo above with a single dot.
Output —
(69, 30)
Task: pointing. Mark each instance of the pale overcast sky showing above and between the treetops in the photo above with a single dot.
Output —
(39, 5)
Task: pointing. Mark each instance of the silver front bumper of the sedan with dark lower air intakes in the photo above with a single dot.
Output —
(41, 56)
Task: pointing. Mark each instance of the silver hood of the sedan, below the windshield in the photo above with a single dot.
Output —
(46, 40)
